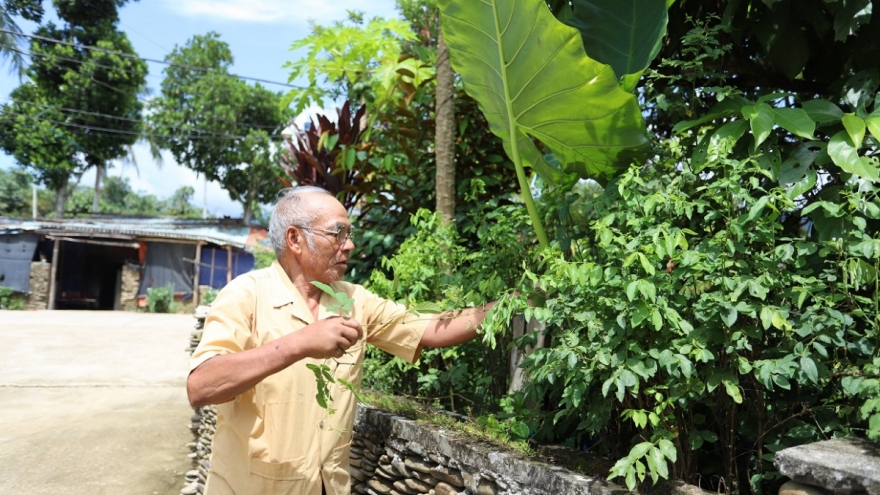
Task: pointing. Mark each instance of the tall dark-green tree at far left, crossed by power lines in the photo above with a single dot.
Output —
(86, 72)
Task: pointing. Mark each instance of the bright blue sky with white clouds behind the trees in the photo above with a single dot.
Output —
(259, 33)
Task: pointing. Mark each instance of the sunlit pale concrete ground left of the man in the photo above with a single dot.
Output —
(93, 402)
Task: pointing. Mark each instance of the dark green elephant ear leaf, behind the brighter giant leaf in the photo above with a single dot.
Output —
(625, 34)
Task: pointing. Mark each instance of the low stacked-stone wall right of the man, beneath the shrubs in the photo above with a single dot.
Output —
(393, 455)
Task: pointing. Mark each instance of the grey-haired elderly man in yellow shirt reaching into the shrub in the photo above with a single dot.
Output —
(264, 328)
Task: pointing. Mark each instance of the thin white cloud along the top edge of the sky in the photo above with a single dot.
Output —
(280, 11)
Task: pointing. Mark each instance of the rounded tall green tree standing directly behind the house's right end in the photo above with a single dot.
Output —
(216, 124)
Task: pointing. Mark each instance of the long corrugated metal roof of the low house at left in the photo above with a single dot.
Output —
(221, 232)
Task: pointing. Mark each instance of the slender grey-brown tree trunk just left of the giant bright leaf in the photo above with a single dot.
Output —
(444, 138)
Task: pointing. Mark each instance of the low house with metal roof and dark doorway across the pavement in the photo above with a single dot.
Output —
(109, 263)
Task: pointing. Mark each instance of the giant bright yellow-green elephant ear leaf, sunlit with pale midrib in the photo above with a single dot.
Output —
(531, 77)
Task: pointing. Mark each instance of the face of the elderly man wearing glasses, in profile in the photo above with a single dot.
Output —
(327, 258)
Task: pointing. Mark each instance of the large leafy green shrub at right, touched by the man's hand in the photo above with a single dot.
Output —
(701, 326)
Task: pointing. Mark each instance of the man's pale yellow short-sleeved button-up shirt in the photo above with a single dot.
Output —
(275, 438)
